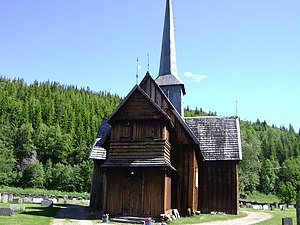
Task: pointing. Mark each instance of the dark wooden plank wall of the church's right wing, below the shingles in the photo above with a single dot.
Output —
(218, 187)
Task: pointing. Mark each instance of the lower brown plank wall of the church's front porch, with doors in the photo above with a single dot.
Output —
(153, 191)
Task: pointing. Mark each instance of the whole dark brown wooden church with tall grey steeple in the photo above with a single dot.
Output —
(148, 158)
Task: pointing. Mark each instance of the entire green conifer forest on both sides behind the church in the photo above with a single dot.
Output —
(47, 131)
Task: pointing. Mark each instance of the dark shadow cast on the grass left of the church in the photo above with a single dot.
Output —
(60, 211)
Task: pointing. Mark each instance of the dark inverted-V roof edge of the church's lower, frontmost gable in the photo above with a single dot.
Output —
(140, 90)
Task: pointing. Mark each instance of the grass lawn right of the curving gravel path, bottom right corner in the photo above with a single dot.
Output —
(277, 216)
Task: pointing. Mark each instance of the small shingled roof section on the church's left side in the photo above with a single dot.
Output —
(98, 152)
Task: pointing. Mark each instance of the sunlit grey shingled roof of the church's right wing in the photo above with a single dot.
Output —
(219, 137)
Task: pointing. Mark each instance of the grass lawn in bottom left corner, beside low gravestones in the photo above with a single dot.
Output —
(34, 214)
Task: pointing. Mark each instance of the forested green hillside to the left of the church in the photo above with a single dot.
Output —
(46, 133)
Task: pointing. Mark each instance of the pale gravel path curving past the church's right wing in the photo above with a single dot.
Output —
(251, 218)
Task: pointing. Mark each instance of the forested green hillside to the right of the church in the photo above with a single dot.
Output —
(271, 160)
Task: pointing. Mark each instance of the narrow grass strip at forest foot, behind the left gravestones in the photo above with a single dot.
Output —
(17, 190)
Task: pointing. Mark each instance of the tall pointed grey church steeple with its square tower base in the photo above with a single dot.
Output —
(168, 78)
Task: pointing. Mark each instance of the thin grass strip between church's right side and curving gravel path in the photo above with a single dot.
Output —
(203, 218)
